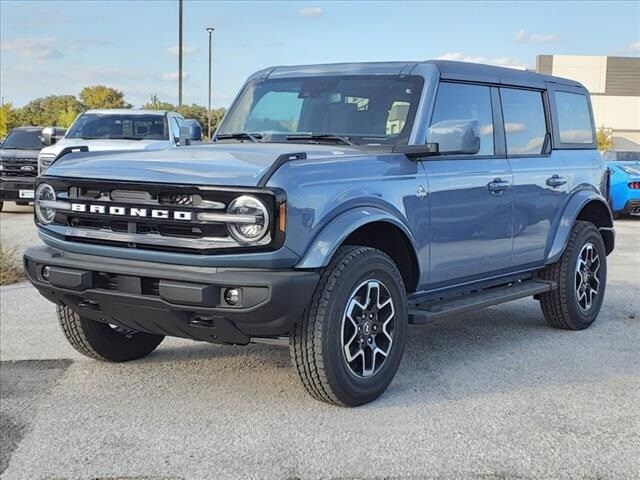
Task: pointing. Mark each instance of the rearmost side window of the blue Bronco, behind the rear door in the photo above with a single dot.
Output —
(574, 118)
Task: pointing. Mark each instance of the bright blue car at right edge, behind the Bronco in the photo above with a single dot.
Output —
(625, 181)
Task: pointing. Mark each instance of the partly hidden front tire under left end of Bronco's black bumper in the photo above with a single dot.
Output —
(102, 341)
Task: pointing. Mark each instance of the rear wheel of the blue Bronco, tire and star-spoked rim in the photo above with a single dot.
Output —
(581, 275)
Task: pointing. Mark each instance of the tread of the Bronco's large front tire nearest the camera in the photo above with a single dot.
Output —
(306, 339)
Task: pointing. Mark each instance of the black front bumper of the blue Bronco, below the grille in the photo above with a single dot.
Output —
(173, 300)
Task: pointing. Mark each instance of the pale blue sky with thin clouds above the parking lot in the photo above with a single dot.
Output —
(58, 47)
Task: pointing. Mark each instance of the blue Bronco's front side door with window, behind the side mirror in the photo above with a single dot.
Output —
(470, 195)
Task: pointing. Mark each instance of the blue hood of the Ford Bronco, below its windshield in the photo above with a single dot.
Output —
(238, 164)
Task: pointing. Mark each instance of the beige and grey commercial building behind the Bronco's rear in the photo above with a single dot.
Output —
(614, 84)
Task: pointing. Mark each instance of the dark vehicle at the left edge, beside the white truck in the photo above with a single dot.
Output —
(19, 164)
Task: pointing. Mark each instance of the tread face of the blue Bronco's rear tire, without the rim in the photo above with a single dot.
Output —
(554, 303)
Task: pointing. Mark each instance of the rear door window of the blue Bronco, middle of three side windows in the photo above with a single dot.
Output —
(525, 126)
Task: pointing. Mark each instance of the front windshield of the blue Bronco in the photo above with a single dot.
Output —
(363, 109)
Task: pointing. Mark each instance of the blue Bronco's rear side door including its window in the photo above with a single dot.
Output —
(540, 180)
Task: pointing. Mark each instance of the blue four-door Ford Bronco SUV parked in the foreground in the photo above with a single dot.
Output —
(337, 205)
